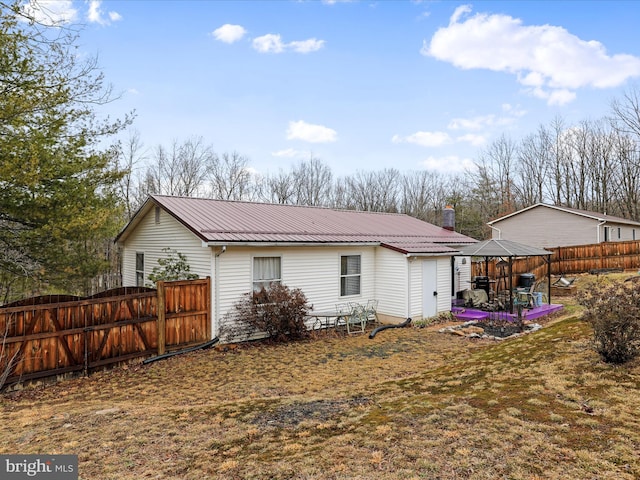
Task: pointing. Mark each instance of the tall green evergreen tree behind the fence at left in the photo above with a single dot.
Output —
(57, 183)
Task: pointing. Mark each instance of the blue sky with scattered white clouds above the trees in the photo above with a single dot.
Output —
(360, 85)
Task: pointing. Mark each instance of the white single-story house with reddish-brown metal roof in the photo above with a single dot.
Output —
(333, 256)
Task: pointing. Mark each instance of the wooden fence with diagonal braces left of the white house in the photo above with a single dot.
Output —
(41, 340)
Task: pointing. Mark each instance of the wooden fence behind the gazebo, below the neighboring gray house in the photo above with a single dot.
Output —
(571, 260)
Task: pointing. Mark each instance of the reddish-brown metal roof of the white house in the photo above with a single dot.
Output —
(218, 222)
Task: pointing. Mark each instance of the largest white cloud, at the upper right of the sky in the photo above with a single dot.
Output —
(550, 61)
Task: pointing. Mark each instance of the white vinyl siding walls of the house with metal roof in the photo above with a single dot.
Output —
(385, 275)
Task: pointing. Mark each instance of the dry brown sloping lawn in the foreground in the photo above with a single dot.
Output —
(409, 404)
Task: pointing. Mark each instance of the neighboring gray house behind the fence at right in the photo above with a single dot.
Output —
(548, 226)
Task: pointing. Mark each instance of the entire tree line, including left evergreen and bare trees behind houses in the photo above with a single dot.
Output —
(64, 195)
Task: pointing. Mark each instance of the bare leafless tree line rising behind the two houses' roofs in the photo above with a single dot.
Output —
(593, 165)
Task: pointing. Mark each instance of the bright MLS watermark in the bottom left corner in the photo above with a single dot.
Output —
(51, 467)
